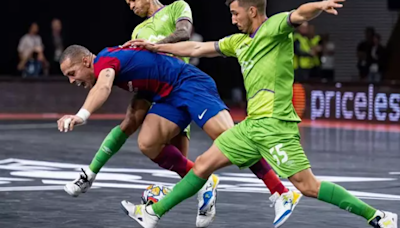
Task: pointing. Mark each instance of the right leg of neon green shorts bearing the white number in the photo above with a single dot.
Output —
(279, 143)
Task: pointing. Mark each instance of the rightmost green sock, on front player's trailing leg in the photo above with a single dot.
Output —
(337, 195)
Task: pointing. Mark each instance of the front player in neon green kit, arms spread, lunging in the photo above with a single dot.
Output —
(265, 54)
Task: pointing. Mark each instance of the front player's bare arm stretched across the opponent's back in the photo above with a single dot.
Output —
(183, 49)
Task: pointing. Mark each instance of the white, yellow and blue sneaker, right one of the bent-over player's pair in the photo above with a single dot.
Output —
(284, 205)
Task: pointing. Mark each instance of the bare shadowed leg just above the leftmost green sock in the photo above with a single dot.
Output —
(135, 114)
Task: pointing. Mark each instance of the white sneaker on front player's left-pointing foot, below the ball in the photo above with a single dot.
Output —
(142, 214)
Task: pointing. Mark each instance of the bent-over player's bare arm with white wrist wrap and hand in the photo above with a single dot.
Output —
(95, 99)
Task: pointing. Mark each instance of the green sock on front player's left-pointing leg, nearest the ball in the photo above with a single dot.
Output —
(185, 189)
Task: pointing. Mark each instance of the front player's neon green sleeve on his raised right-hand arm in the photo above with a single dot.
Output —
(280, 24)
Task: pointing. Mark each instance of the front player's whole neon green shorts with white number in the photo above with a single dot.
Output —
(277, 141)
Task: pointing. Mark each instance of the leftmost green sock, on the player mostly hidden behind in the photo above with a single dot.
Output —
(110, 146)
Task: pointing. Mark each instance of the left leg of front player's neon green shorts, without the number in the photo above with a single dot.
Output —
(237, 146)
